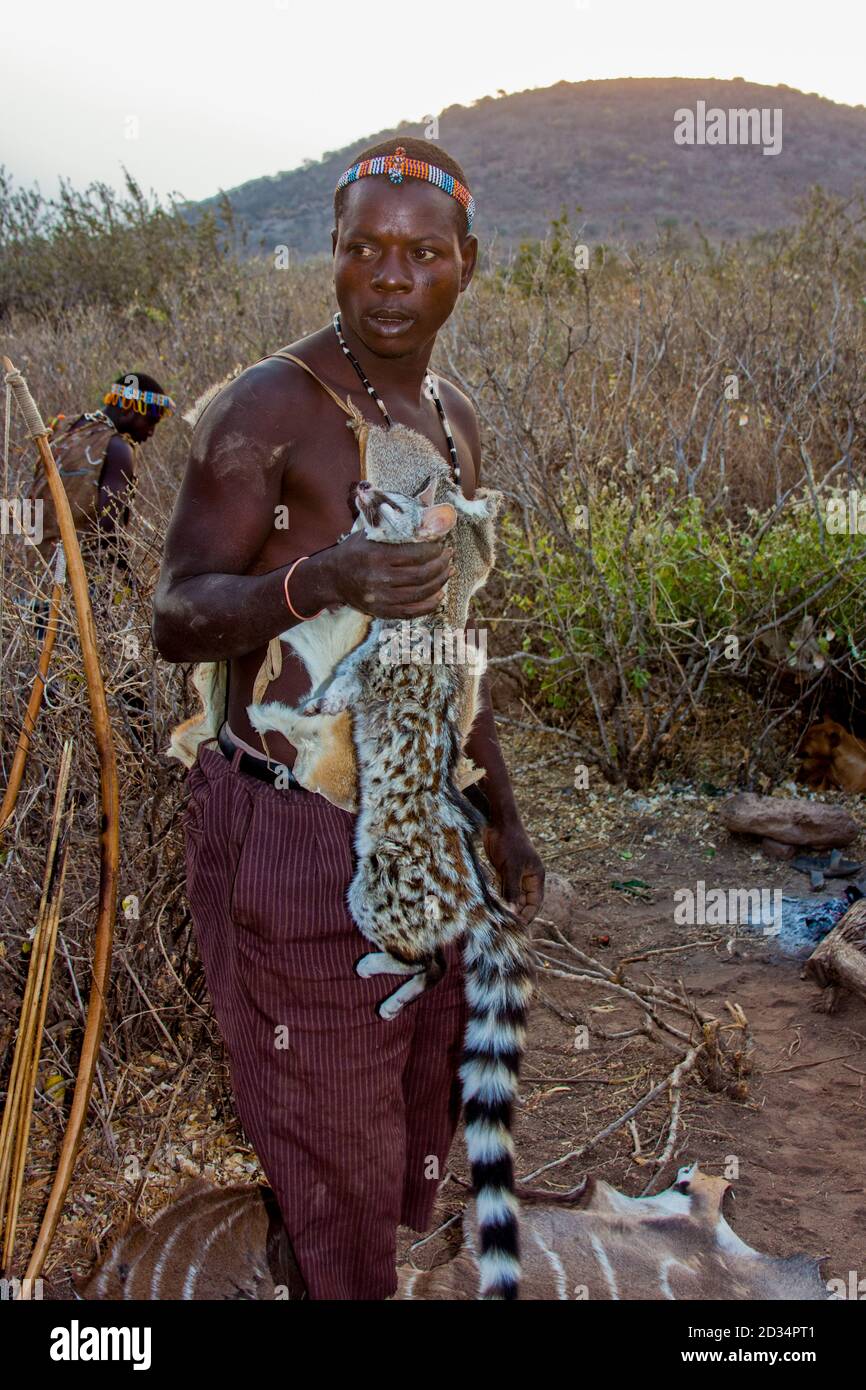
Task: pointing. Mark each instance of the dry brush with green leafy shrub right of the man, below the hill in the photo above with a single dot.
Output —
(655, 516)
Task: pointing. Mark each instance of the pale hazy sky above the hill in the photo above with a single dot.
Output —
(195, 97)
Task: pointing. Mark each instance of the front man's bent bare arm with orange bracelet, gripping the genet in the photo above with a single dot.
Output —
(206, 605)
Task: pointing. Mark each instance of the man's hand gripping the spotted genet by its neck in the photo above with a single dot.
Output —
(391, 580)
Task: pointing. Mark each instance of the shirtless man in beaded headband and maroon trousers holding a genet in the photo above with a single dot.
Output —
(351, 1117)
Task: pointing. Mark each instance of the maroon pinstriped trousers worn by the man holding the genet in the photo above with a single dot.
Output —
(351, 1117)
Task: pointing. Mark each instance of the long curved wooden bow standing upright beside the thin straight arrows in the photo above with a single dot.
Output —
(109, 843)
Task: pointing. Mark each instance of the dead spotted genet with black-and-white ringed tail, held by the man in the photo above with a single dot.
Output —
(419, 883)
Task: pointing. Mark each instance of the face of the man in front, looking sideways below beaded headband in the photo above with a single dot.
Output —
(400, 263)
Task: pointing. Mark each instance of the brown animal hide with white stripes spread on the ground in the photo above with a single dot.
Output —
(213, 1243)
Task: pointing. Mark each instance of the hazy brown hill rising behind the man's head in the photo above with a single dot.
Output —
(604, 147)
